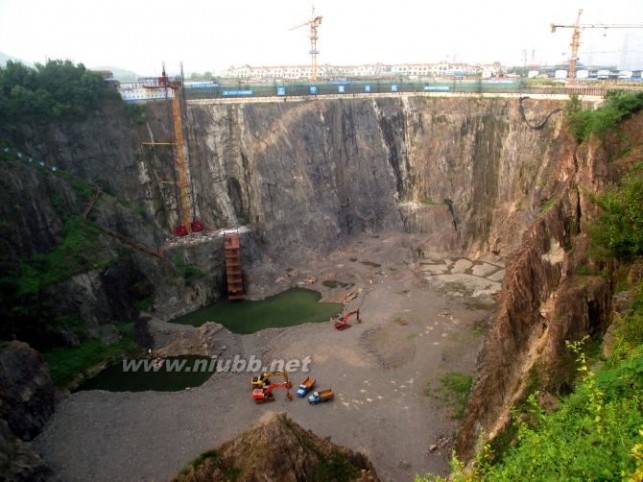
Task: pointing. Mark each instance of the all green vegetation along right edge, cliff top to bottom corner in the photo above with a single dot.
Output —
(596, 432)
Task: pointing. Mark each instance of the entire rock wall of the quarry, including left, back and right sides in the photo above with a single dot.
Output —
(472, 175)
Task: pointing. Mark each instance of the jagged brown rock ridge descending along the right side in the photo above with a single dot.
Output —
(544, 301)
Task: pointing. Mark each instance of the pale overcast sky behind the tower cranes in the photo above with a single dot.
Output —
(211, 35)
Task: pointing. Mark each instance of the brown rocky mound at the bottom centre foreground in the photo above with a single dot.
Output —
(278, 449)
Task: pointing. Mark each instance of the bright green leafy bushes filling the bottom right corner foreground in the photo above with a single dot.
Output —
(590, 437)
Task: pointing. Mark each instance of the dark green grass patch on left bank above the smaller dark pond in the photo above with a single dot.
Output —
(66, 362)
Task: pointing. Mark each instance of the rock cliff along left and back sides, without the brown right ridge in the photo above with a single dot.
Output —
(303, 177)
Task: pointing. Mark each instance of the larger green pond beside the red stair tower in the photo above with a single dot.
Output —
(292, 307)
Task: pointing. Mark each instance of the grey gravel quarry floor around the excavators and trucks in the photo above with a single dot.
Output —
(421, 319)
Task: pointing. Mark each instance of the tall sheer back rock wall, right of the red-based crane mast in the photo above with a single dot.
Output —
(305, 175)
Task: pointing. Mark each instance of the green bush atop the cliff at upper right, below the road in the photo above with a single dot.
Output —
(618, 106)
